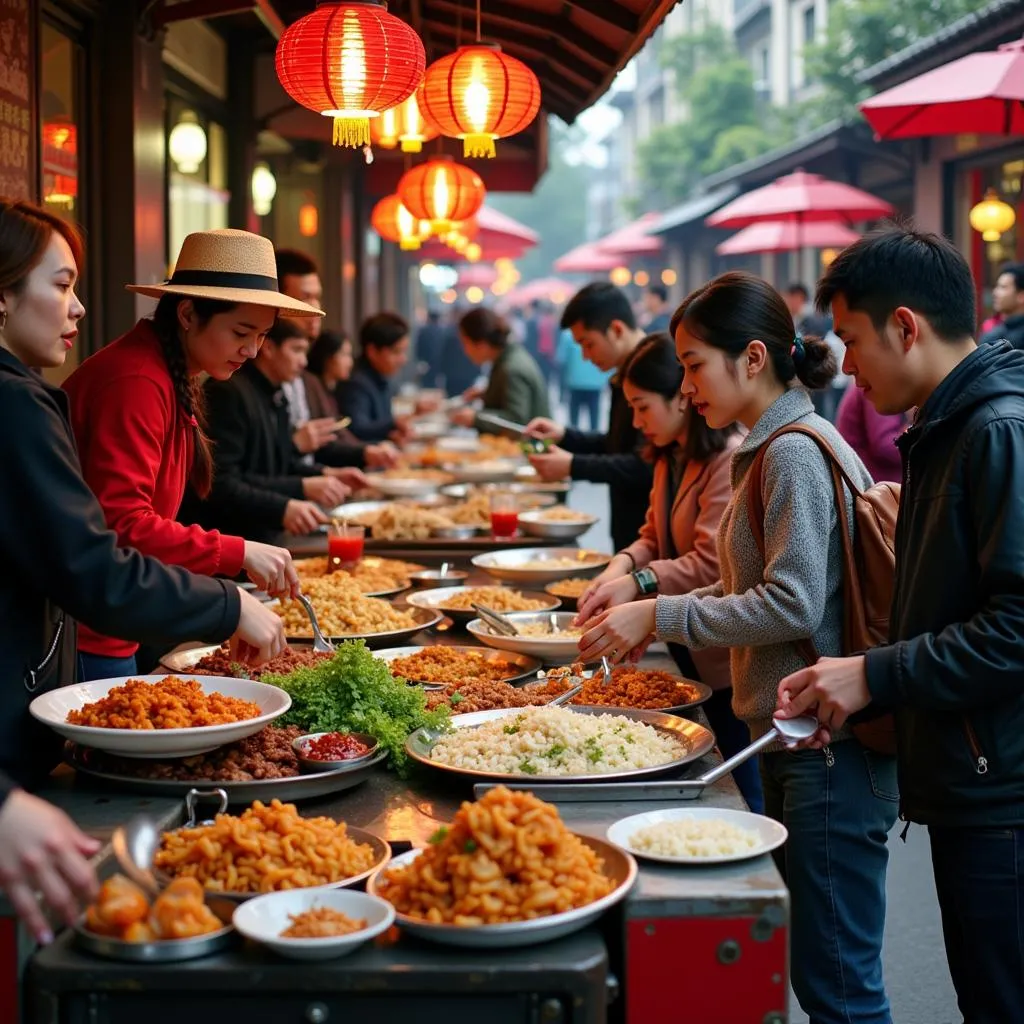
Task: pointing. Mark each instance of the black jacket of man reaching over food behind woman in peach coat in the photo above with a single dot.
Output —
(614, 459)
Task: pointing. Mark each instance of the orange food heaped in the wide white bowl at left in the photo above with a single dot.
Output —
(172, 704)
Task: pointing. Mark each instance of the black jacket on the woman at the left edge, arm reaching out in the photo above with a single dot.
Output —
(57, 553)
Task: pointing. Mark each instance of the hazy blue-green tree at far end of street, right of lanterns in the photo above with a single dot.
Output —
(558, 207)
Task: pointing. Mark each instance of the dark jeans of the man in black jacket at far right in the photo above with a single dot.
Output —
(979, 879)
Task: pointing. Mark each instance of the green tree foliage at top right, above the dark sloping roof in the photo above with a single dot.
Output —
(862, 33)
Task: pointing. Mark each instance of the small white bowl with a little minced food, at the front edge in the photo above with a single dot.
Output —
(265, 918)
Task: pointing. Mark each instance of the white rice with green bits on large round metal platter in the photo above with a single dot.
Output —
(558, 742)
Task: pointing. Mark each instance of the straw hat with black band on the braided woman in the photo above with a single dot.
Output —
(232, 267)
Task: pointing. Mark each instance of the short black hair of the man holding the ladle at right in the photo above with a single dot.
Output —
(897, 266)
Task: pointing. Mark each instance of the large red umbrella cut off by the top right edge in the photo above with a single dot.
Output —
(983, 94)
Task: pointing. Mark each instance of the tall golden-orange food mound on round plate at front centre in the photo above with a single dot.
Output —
(506, 858)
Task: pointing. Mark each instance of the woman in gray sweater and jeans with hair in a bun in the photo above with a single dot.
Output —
(743, 363)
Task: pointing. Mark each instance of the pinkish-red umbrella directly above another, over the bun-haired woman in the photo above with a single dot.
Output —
(801, 198)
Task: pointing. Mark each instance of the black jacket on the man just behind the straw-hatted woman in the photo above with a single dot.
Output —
(258, 470)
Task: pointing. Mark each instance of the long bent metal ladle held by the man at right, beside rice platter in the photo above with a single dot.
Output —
(790, 731)
